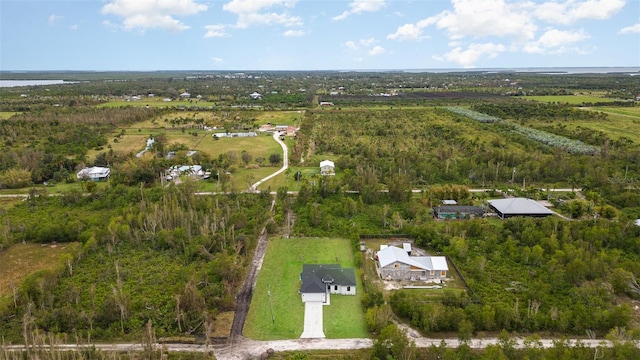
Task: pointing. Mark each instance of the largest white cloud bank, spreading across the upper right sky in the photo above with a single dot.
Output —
(520, 22)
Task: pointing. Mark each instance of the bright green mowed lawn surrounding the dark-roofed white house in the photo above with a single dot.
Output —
(280, 277)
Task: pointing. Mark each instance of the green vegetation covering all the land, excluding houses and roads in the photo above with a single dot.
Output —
(151, 256)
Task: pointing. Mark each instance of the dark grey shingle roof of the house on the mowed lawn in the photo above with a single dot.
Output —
(315, 277)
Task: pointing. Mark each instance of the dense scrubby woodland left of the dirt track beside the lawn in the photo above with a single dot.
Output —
(161, 255)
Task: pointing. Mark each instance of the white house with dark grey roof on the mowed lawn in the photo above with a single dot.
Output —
(321, 280)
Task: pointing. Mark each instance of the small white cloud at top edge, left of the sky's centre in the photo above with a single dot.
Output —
(252, 12)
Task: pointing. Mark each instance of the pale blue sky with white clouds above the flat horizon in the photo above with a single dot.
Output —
(317, 35)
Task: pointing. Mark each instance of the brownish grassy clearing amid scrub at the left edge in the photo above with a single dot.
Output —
(20, 260)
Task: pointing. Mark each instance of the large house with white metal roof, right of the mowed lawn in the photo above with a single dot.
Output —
(394, 263)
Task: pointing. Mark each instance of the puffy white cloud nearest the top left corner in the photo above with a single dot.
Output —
(150, 14)
